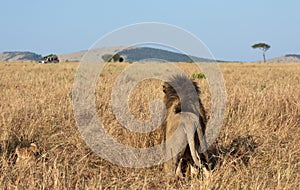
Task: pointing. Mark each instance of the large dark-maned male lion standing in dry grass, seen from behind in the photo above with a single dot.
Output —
(185, 122)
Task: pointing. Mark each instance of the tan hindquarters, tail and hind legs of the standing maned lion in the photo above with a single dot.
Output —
(181, 136)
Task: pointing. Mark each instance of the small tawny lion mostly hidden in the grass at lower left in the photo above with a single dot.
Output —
(26, 155)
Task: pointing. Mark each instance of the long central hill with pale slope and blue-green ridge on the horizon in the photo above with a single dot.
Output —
(136, 54)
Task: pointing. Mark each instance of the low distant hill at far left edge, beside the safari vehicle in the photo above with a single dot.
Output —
(19, 56)
